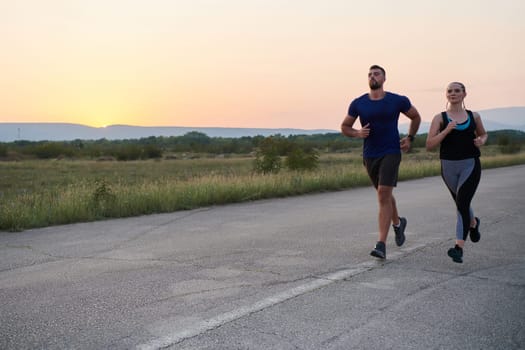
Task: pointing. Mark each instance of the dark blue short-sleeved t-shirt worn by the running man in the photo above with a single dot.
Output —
(383, 116)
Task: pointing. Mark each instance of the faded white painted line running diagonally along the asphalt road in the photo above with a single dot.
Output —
(320, 281)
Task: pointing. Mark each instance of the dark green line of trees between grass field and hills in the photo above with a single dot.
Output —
(155, 147)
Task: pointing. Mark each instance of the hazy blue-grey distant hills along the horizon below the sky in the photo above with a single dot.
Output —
(493, 119)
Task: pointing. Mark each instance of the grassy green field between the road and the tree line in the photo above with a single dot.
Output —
(40, 193)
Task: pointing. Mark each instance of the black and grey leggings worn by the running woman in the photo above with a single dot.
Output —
(462, 178)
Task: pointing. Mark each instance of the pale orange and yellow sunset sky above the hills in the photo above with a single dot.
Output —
(250, 63)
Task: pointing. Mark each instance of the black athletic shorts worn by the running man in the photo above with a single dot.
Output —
(383, 170)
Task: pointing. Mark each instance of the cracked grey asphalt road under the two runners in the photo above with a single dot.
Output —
(292, 273)
